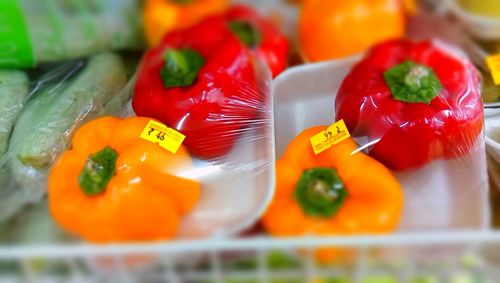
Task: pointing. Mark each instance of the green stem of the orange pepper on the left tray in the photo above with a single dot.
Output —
(98, 171)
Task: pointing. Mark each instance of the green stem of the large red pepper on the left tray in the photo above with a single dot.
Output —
(181, 67)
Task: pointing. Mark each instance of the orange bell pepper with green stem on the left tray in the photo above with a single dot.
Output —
(113, 186)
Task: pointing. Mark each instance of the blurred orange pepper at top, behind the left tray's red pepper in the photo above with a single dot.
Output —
(163, 16)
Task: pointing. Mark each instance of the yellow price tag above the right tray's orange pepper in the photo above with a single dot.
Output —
(334, 134)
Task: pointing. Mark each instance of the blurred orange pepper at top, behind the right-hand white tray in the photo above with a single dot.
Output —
(335, 29)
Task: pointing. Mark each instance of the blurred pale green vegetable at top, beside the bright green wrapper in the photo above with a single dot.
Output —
(61, 30)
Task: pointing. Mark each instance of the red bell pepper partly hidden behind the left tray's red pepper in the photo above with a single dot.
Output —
(260, 35)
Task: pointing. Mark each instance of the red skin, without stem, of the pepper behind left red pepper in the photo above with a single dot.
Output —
(273, 47)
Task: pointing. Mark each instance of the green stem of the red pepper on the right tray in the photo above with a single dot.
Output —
(412, 83)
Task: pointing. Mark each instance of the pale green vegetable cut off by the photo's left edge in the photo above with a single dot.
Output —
(14, 88)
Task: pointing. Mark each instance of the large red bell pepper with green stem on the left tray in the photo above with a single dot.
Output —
(200, 81)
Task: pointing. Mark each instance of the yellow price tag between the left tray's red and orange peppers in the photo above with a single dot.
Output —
(162, 135)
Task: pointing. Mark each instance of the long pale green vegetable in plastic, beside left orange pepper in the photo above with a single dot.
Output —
(51, 116)
